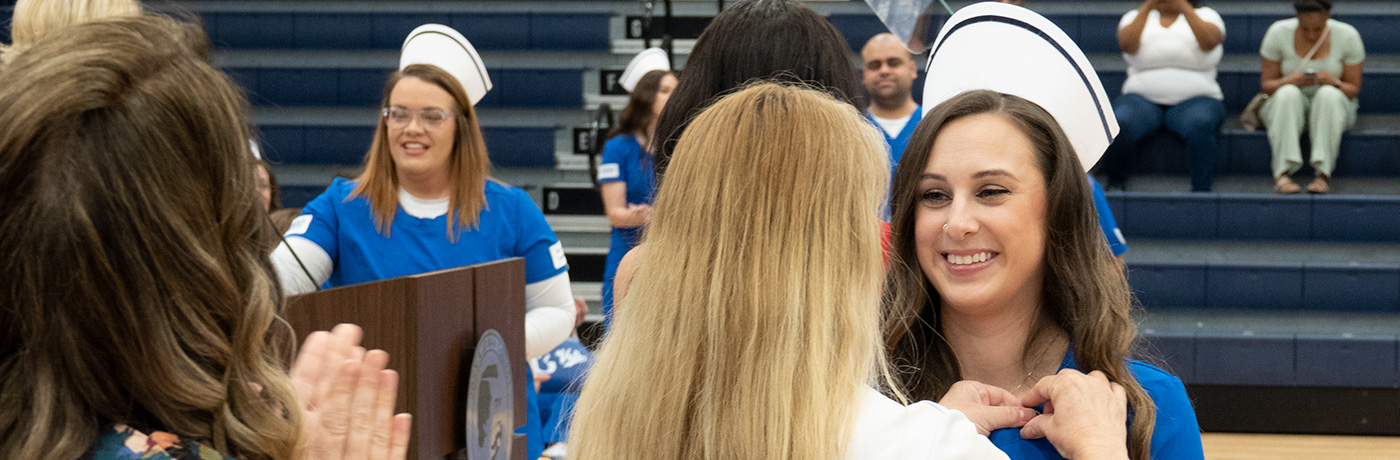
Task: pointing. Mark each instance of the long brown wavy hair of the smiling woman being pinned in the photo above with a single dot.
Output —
(1084, 293)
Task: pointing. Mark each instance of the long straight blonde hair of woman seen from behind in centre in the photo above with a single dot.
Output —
(752, 324)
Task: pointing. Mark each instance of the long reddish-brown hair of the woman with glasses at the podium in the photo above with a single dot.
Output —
(470, 164)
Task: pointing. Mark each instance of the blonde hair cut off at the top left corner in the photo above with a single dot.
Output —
(34, 19)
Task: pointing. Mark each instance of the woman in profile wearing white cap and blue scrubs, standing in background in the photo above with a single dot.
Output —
(628, 174)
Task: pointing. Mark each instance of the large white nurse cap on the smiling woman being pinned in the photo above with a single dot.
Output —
(1010, 50)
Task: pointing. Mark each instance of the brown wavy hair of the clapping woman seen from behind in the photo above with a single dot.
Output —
(135, 289)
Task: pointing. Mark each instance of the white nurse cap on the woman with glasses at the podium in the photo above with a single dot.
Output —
(443, 47)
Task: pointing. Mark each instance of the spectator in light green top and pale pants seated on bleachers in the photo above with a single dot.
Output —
(1318, 96)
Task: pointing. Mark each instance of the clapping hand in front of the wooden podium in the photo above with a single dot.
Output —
(348, 399)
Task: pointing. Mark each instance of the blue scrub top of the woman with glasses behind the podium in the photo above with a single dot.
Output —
(510, 226)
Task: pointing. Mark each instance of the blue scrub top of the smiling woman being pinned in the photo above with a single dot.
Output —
(1175, 437)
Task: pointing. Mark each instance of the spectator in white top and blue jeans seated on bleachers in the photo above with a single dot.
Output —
(1172, 48)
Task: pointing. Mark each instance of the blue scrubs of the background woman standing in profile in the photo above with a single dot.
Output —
(625, 161)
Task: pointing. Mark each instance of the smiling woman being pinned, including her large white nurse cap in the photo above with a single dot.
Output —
(999, 272)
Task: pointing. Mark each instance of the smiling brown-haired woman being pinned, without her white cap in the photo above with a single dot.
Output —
(1000, 275)
